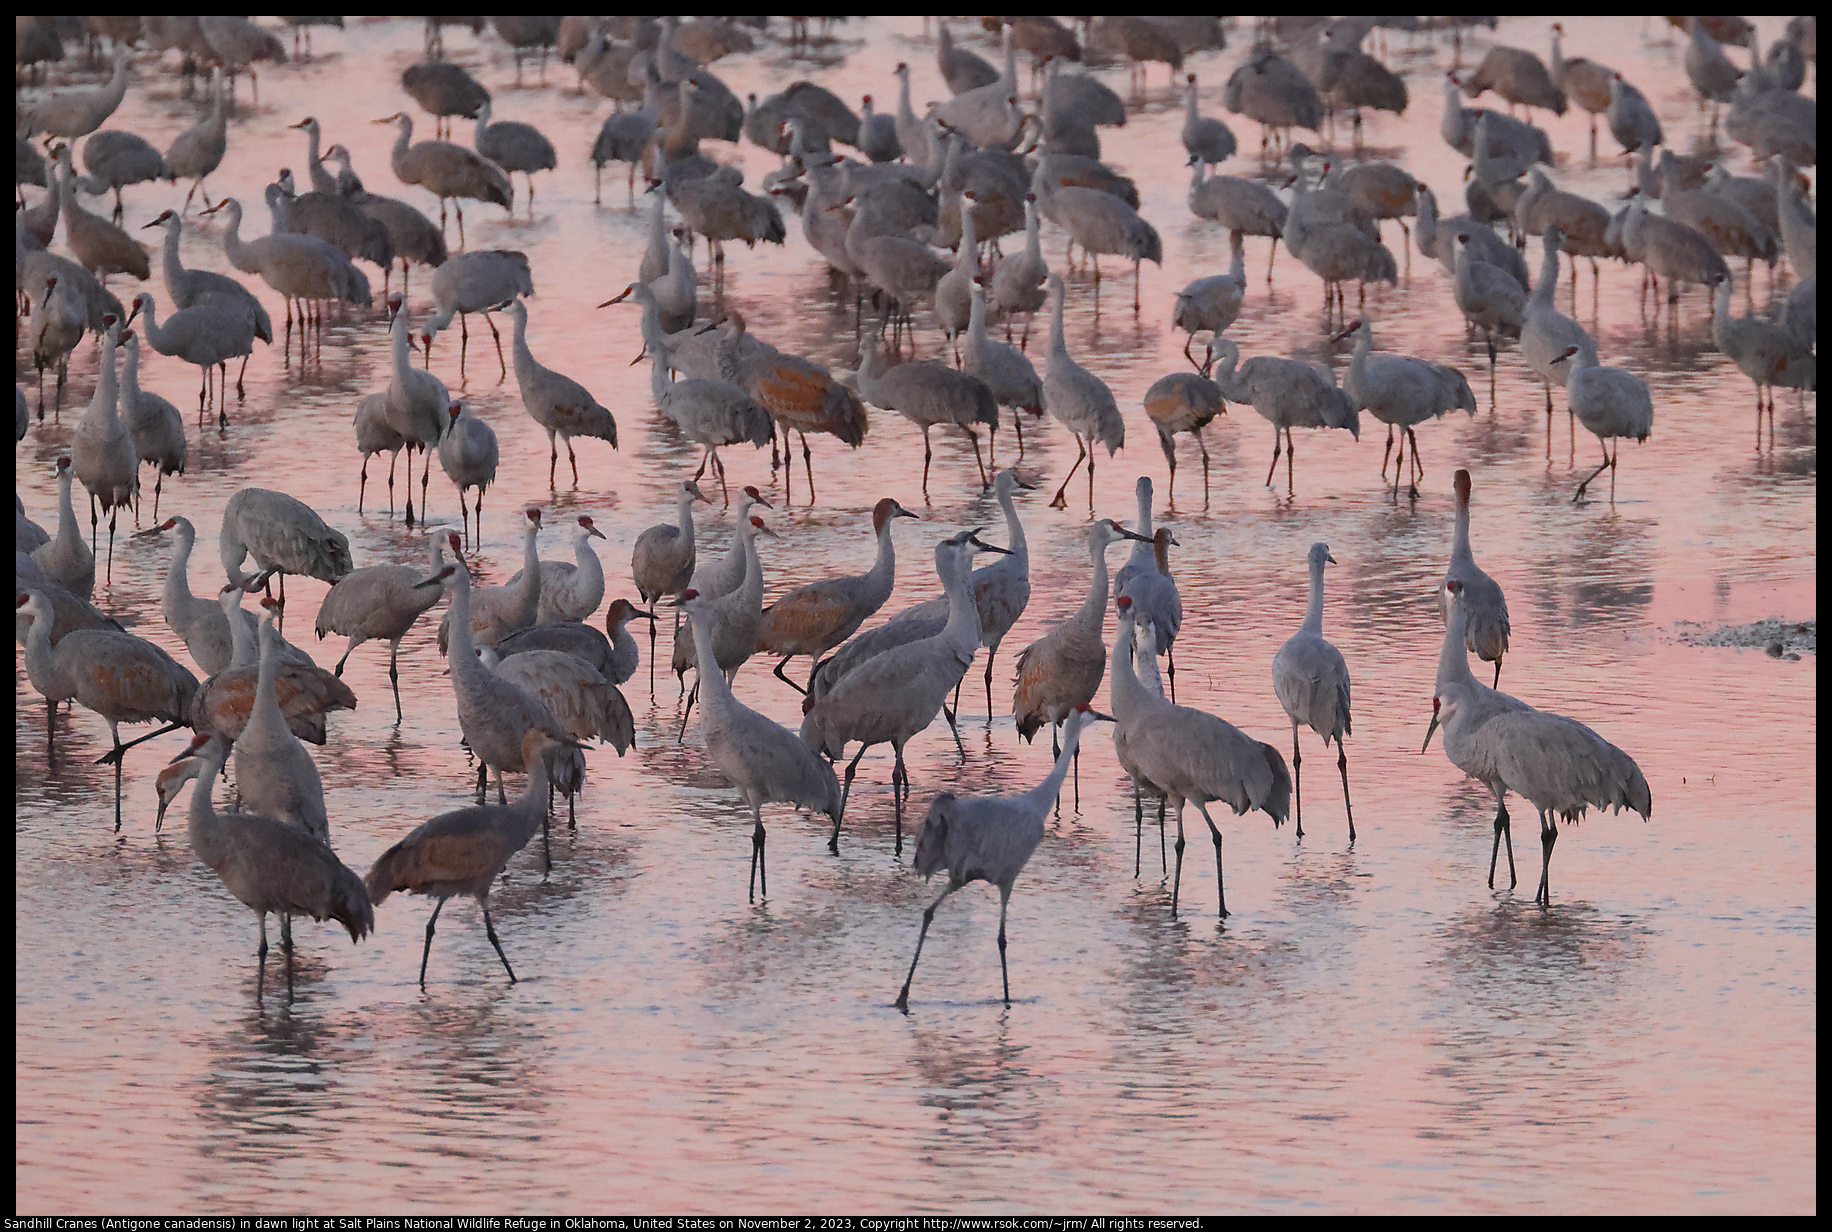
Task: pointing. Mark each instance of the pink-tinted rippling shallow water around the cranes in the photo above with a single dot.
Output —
(1373, 1029)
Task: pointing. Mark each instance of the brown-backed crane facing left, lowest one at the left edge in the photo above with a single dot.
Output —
(120, 677)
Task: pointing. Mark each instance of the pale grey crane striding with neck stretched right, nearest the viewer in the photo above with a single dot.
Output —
(990, 839)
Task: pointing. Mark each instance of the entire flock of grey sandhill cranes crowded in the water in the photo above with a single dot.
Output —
(536, 683)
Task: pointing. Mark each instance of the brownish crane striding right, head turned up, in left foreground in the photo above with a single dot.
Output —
(464, 852)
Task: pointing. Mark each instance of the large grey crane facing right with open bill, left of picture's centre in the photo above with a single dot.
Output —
(895, 696)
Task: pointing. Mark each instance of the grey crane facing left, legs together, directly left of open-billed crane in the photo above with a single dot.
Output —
(765, 762)
